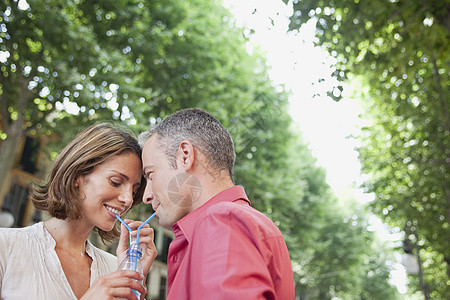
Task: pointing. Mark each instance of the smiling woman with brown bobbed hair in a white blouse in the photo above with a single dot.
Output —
(97, 175)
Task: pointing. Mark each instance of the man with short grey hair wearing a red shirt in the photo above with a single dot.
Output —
(223, 248)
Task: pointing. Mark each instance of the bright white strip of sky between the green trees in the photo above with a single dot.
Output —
(326, 125)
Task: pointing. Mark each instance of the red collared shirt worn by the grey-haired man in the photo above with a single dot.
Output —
(226, 249)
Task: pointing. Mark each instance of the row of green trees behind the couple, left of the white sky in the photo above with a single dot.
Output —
(72, 63)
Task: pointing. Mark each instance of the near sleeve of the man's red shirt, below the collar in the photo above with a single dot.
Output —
(229, 259)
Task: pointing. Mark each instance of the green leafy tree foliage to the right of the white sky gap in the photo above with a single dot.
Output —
(400, 51)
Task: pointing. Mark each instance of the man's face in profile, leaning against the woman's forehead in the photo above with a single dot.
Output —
(164, 189)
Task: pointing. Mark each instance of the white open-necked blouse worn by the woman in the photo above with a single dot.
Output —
(30, 267)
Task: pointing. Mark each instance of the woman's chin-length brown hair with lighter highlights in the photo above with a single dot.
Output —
(90, 148)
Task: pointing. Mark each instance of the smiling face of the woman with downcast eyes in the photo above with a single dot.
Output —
(109, 190)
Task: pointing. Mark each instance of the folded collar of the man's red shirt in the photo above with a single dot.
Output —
(188, 223)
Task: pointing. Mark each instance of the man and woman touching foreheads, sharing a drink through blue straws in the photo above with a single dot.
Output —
(223, 248)
